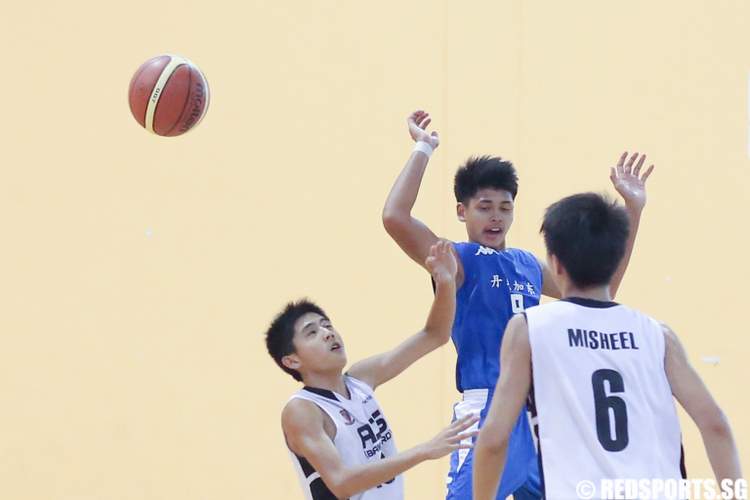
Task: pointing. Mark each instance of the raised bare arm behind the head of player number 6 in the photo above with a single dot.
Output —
(631, 185)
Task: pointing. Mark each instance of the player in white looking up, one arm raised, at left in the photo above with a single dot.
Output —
(341, 443)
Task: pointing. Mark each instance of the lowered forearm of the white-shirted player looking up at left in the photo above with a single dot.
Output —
(365, 477)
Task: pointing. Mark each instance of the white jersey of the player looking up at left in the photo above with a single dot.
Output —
(362, 436)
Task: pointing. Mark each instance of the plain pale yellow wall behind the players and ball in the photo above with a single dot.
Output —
(138, 273)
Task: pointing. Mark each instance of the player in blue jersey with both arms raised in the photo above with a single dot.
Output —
(493, 281)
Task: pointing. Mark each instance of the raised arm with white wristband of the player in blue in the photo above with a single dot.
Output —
(411, 234)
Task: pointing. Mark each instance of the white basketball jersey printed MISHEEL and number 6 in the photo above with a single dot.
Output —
(604, 405)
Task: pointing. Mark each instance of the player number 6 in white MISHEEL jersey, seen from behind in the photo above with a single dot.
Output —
(601, 375)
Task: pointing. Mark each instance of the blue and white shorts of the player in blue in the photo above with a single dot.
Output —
(521, 474)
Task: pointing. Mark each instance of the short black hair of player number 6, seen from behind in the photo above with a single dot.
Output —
(587, 233)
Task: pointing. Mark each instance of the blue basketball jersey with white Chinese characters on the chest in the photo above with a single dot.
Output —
(497, 284)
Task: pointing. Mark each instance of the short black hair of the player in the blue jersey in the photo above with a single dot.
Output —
(484, 172)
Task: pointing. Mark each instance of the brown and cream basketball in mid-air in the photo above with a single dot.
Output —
(168, 95)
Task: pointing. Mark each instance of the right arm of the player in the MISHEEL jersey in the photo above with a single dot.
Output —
(694, 397)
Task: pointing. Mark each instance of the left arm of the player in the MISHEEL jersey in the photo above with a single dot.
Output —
(510, 396)
